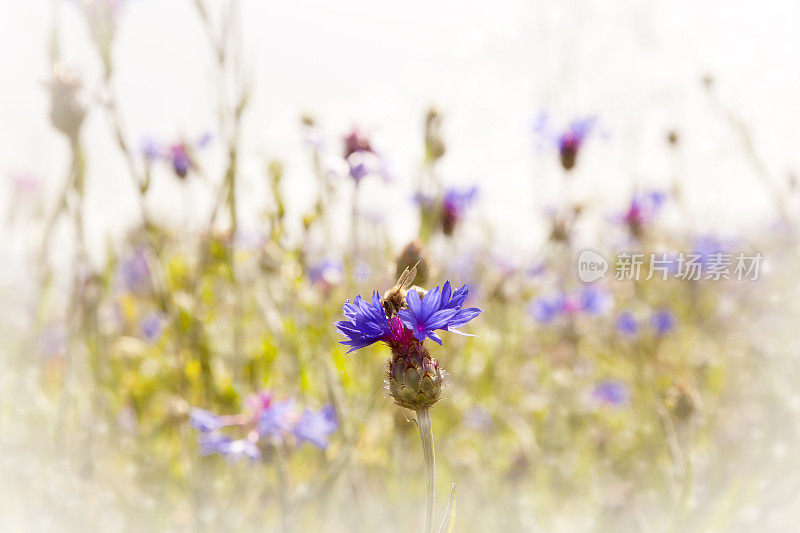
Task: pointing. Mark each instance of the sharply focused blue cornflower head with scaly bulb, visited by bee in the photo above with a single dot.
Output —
(414, 378)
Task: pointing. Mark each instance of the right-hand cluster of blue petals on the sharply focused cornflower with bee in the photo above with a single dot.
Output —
(438, 309)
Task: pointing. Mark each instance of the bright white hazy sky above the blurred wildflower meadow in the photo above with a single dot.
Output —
(489, 66)
